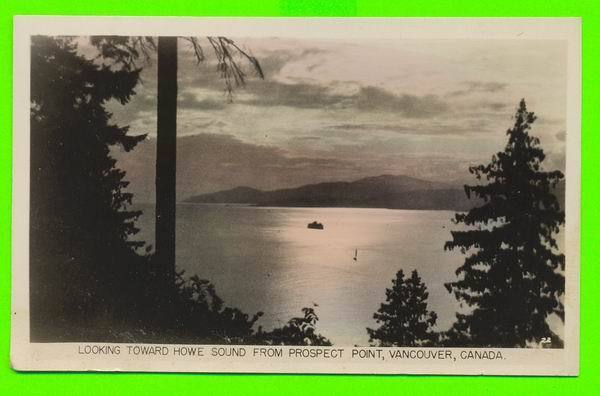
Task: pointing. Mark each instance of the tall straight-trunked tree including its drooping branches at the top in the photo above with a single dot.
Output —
(126, 52)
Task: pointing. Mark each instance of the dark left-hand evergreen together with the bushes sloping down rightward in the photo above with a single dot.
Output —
(88, 279)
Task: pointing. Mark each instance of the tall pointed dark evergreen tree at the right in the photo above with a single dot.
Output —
(513, 275)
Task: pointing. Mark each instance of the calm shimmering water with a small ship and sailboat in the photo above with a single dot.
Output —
(266, 259)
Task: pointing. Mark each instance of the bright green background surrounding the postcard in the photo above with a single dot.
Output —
(105, 383)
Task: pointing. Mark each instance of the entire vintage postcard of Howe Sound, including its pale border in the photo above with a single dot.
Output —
(296, 195)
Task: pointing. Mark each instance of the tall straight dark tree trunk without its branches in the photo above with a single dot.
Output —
(166, 149)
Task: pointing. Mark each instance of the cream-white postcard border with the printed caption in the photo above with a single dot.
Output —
(68, 356)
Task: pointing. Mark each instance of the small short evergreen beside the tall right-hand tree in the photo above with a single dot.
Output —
(404, 318)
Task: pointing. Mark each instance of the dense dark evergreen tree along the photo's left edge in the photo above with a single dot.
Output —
(80, 225)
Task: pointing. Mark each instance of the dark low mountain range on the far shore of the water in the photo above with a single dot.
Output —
(385, 191)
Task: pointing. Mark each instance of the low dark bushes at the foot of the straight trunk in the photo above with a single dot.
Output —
(191, 311)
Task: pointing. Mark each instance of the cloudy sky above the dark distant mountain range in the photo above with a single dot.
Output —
(335, 110)
